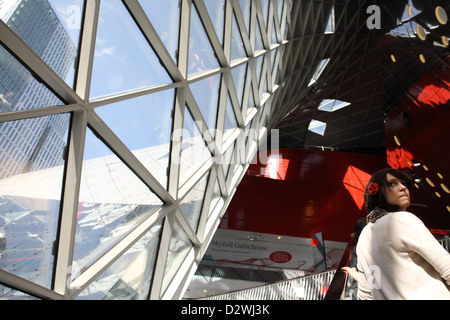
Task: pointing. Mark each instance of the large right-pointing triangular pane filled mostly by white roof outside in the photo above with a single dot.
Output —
(112, 201)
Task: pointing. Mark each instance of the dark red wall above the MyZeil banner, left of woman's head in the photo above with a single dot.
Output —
(316, 191)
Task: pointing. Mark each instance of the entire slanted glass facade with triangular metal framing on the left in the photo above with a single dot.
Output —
(125, 127)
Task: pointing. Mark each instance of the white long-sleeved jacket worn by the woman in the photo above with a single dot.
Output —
(398, 258)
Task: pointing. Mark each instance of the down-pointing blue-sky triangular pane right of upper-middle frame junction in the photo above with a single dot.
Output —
(206, 93)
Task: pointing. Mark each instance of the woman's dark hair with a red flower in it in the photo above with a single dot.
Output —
(377, 199)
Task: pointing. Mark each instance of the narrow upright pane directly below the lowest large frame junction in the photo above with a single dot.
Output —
(179, 246)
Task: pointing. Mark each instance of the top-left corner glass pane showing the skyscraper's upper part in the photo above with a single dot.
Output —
(50, 28)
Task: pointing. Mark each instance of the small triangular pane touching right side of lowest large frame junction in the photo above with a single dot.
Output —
(192, 203)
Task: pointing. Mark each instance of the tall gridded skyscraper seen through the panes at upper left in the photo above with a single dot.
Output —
(22, 142)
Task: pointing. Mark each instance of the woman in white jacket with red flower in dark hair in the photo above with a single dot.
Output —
(398, 258)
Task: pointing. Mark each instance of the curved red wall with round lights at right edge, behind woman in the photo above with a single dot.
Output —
(421, 124)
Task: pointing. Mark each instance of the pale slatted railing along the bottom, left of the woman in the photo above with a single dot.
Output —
(312, 287)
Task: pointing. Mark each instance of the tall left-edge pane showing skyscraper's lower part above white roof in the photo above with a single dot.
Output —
(32, 169)
